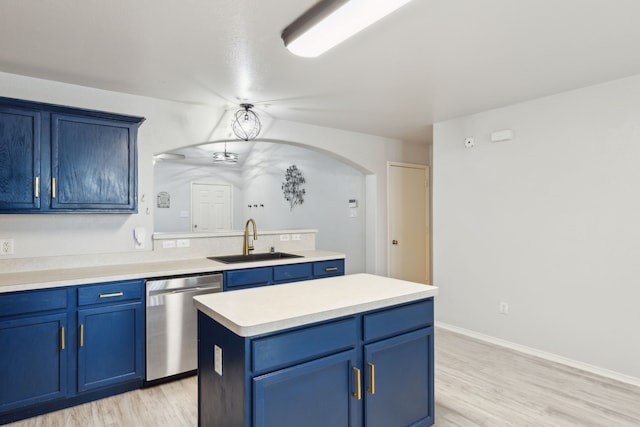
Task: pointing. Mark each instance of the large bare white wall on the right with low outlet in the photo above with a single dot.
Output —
(548, 222)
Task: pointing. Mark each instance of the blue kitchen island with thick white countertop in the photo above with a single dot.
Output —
(353, 350)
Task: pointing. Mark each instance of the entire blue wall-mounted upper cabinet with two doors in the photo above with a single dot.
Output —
(57, 159)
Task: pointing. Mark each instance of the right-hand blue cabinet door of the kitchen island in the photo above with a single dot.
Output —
(398, 385)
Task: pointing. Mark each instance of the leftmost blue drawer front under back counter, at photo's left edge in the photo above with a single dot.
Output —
(32, 301)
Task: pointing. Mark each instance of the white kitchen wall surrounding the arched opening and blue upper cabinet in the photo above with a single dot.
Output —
(171, 125)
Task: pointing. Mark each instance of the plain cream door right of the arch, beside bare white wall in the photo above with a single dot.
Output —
(408, 213)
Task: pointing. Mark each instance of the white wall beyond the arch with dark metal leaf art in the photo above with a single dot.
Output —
(329, 186)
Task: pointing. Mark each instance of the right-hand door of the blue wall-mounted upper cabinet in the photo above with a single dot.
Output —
(93, 163)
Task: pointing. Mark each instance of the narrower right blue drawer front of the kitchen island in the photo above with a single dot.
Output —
(398, 320)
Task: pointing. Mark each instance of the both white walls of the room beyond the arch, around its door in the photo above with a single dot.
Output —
(330, 183)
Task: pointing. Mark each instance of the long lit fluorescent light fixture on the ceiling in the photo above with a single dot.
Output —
(330, 22)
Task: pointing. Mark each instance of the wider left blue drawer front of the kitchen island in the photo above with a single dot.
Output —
(288, 348)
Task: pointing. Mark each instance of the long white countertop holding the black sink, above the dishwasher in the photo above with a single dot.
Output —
(22, 281)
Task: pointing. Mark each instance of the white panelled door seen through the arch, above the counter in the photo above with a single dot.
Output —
(211, 207)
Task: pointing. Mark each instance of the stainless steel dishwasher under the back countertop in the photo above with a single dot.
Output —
(171, 318)
